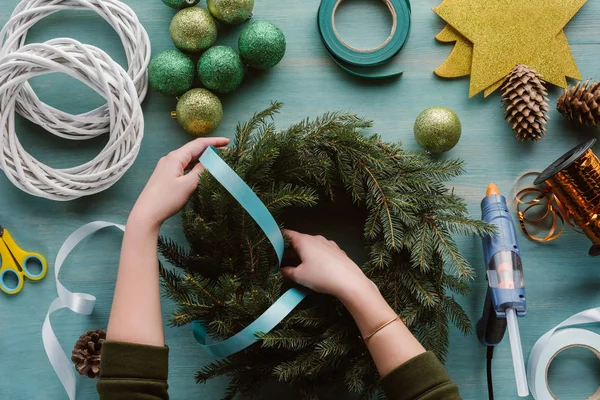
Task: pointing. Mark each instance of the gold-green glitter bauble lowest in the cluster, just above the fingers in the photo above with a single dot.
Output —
(199, 112)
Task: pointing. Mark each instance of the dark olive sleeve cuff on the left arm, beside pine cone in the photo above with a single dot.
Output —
(133, 372)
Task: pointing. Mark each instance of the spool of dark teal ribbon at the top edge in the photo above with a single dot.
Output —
(366, 63)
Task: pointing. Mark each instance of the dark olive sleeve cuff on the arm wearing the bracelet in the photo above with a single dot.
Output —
(421, 378)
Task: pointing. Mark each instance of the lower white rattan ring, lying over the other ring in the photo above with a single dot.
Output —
(97, 70)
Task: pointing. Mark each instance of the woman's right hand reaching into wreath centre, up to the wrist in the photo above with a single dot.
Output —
(324, 268)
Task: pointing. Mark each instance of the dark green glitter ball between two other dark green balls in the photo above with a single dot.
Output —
(220, 69)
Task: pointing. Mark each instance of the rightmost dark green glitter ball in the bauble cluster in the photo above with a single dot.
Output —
(262, 45)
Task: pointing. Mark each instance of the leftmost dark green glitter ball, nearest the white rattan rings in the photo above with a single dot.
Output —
(171, 73)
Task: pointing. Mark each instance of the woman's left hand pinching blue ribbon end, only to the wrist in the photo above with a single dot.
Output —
(169, 187)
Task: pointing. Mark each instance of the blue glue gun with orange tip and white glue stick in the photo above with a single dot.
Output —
(505, 298)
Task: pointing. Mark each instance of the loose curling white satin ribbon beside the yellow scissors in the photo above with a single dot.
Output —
(80, 303)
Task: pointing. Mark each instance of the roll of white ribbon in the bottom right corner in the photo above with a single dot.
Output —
(560, 338)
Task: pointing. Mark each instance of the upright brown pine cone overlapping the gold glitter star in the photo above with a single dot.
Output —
(524, 95)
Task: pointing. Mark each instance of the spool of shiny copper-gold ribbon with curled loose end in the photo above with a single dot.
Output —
(571, 196)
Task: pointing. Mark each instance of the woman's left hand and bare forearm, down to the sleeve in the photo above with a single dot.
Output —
(136, 313)
